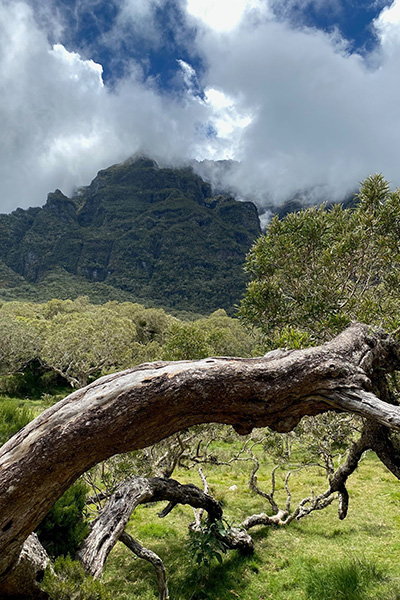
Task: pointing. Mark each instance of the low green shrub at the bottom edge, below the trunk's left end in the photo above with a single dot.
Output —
(69, 582)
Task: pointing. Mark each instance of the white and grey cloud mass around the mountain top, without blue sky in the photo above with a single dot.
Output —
(293, 106)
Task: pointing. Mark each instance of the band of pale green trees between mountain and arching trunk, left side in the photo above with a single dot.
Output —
(76, 341)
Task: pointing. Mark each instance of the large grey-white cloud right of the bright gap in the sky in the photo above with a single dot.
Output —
(322, 119)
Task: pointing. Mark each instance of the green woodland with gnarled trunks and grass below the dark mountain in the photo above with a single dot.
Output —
(272, 475)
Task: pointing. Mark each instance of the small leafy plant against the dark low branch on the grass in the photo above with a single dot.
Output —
(207, 545)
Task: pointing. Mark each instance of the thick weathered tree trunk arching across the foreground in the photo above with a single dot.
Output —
(141, 406)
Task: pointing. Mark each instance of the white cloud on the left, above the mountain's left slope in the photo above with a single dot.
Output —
(60, 124)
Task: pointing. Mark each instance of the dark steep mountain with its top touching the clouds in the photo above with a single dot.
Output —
(155, 233)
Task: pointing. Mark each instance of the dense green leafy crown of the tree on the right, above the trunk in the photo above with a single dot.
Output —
(316, 270)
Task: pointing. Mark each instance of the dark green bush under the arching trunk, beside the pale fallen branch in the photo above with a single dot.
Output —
(64, 527)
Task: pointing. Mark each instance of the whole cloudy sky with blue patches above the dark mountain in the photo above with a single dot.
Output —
(303, 95)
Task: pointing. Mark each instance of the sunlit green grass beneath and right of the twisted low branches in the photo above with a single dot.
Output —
(319, 557)
